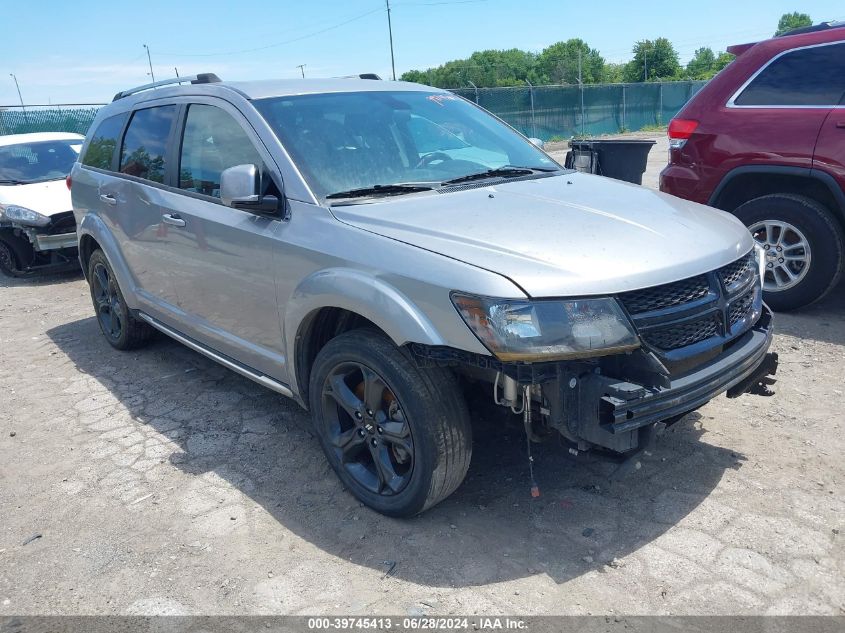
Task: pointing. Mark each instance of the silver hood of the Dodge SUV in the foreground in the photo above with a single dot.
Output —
(569, 235)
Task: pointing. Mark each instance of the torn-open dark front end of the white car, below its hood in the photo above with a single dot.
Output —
(37, 244)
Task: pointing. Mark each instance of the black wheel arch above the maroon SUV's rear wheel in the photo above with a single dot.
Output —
(753, 181)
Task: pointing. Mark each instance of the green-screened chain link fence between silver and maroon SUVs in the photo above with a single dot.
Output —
(560, 112)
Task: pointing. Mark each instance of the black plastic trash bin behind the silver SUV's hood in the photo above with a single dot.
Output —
(623, 159)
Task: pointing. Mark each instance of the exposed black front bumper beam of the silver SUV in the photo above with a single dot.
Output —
(609, 412)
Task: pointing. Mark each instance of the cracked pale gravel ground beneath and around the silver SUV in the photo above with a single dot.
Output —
(159, 482)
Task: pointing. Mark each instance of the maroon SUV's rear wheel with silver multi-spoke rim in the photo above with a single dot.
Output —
(796, 275)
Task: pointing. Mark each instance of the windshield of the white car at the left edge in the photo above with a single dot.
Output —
(26, 163)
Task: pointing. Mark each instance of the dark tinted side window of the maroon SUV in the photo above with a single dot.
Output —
(810, 76)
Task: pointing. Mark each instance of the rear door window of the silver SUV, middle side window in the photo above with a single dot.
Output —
(143, 150)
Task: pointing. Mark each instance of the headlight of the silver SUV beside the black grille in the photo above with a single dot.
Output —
(522, 330)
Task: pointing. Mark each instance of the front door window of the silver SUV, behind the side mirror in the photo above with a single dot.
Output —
(213, 141)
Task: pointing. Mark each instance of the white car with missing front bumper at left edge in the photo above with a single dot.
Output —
(37, 229)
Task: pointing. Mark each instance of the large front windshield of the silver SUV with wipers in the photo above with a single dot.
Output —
(352, 141)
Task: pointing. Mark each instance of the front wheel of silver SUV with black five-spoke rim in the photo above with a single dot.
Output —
(397, 435)
